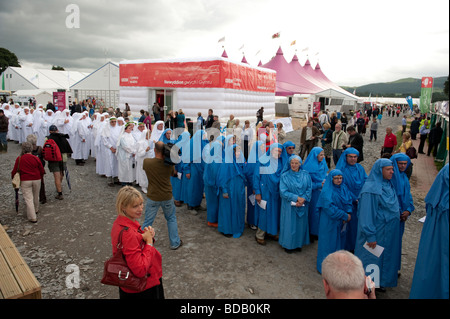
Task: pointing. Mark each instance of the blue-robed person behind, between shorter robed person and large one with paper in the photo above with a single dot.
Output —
(354, 177)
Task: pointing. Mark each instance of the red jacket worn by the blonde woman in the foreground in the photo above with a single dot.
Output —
(142, 259)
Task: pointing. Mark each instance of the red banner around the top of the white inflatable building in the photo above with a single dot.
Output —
(201, 74)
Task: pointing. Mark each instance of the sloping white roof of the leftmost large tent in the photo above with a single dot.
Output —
(49, 79)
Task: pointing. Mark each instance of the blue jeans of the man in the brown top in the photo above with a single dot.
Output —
(168, 206)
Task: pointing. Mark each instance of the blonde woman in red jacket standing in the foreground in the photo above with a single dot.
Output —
(142, 258)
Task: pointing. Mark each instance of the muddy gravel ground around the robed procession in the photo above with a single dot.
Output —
(75, 233)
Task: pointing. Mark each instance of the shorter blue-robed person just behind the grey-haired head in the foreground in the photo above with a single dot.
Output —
(335, 205)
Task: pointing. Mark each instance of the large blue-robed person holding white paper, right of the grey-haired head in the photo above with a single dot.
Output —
(379, 225)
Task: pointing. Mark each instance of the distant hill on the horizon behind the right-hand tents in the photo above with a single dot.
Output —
(401, 88)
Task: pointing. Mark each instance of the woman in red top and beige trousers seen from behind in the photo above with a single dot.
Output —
(31, 172)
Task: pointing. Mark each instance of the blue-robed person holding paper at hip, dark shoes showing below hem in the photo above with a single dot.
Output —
(266, 183)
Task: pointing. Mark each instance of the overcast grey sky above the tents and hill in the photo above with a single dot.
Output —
(355, 41)
